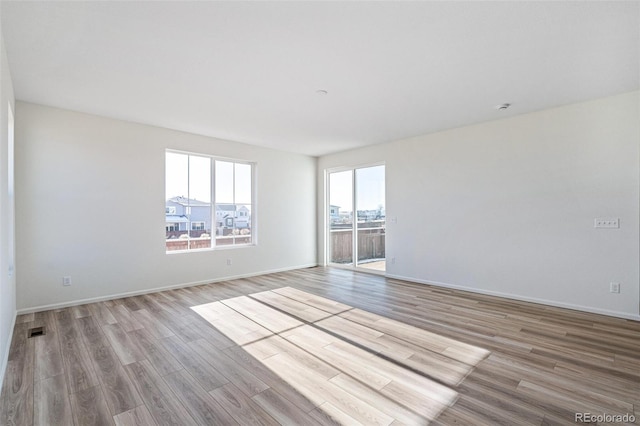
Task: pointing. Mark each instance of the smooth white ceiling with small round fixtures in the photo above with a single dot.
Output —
(249, 71)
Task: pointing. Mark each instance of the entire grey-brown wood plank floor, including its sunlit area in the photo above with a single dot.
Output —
(319, 346)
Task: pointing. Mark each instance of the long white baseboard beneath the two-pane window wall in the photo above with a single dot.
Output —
(154, 290)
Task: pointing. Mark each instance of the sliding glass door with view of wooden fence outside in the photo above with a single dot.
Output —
(356, 211)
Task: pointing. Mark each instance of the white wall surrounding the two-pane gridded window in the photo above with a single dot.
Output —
(90, 204)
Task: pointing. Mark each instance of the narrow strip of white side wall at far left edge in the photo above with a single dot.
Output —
(7, 281)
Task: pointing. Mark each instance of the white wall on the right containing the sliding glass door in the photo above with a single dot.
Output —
(507, 207)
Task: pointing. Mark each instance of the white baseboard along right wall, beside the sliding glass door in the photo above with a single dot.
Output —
(547, 302)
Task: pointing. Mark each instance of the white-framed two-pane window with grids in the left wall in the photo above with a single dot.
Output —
(208, 202)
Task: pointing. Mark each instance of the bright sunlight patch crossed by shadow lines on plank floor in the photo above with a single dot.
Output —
(356, 366)
